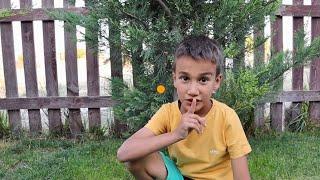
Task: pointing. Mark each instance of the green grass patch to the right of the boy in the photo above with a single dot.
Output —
(286, 156)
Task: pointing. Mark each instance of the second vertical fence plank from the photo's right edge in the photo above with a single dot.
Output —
(297, 73)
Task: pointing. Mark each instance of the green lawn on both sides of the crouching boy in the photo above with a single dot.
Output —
(285, 156)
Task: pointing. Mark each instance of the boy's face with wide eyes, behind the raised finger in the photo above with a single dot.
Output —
(195, 79)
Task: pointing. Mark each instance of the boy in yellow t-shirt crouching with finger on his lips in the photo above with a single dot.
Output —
(204, 137)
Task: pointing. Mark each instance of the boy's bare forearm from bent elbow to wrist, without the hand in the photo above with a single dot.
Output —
(135, 148)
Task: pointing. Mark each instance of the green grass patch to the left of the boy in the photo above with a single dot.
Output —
(60, 159)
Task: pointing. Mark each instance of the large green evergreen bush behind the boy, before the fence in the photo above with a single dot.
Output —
(150, 30)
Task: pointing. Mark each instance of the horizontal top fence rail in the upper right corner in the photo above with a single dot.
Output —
(299, 10)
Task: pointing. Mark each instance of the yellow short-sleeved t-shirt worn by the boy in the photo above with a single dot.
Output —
(207, 155)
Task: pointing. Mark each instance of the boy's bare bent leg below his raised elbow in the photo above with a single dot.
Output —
(149, 167)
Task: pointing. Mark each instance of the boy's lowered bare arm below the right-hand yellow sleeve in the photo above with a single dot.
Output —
(240, 168)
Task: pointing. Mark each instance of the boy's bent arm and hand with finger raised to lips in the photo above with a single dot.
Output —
(145, 141)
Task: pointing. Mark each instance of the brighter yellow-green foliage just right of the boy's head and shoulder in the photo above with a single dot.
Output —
(241, 91)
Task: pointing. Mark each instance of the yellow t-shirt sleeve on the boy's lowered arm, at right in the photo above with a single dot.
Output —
(236, 139)
